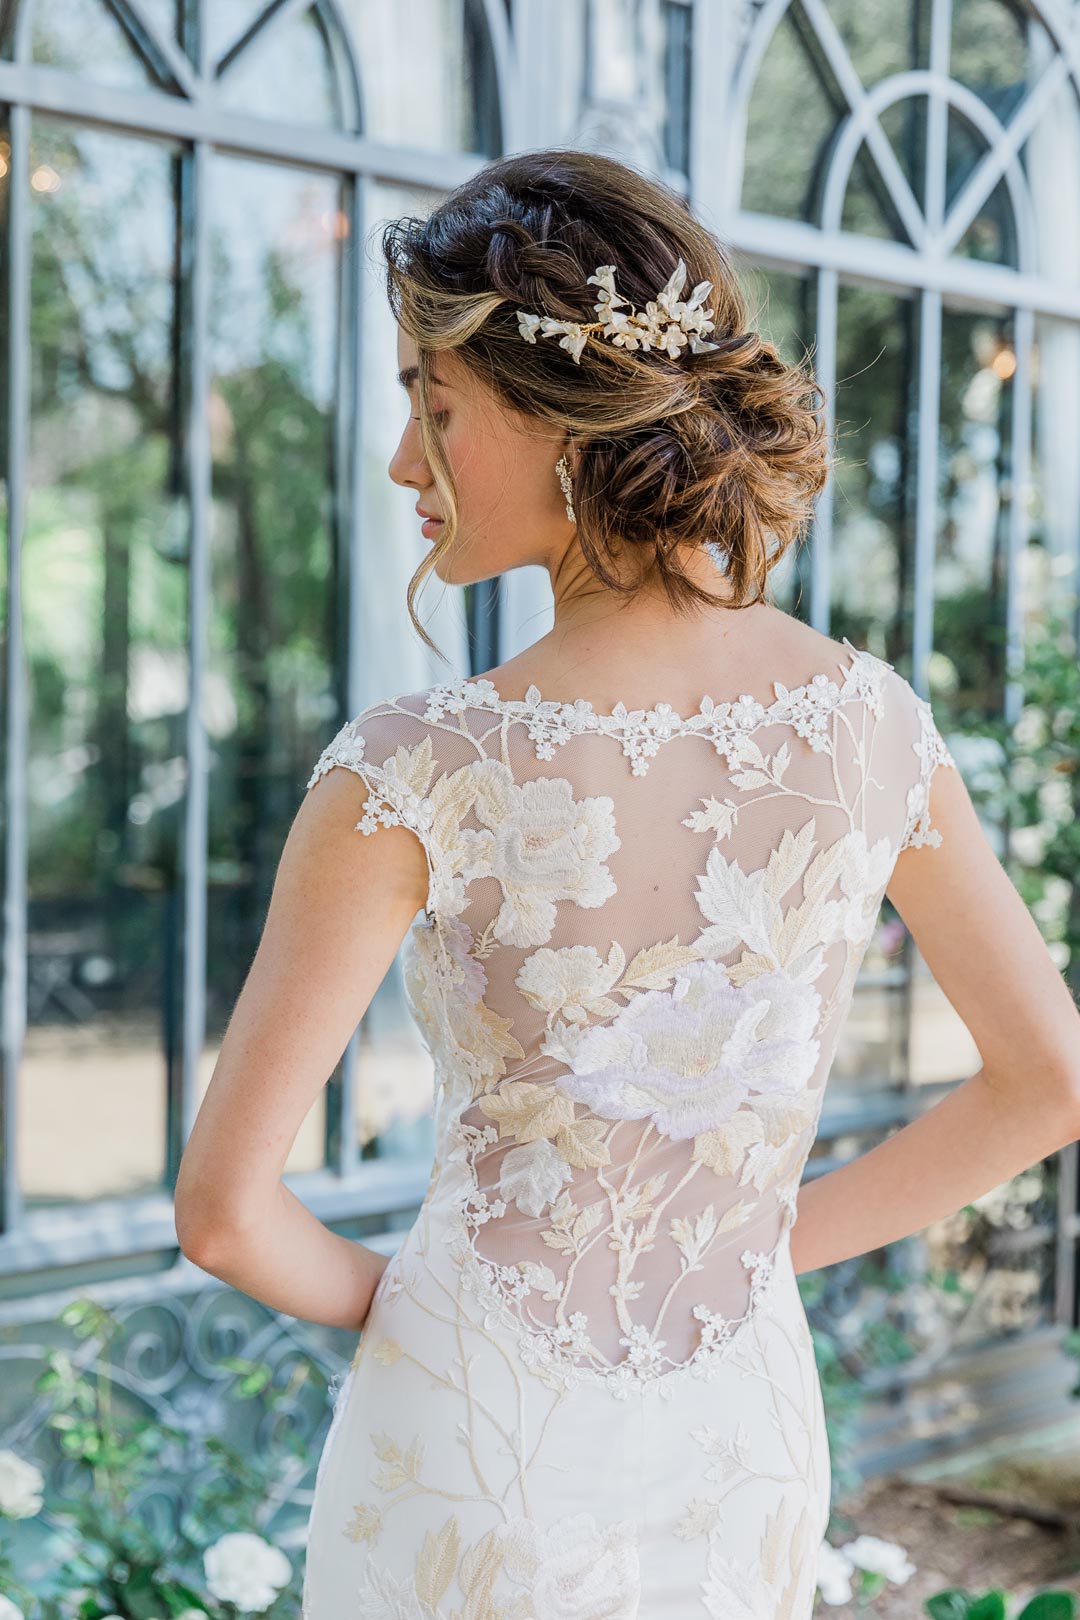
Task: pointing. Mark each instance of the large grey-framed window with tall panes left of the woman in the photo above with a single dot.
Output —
(208, 561)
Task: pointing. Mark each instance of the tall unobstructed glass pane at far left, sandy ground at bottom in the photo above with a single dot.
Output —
(104, 616)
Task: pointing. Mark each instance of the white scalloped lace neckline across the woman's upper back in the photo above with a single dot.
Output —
(480, 693)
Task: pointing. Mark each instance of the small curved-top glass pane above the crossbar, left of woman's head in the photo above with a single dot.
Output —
(284, 74)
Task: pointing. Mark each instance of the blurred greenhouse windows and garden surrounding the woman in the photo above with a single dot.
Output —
(205, 574)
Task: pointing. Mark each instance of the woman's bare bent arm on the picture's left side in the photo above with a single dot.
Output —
(341, 908)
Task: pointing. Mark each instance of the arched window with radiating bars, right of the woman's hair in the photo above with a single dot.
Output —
(901, 181)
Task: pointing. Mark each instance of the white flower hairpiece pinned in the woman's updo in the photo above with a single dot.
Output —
(665, 323)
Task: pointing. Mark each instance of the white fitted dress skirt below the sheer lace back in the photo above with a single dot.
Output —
(461, 1481)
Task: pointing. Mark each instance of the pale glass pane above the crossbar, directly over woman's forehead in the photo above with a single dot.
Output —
(428, 74)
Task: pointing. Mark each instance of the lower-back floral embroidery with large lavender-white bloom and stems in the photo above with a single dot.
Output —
(762, 1038)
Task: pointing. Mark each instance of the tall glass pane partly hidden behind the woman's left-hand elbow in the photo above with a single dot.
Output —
(276, 592)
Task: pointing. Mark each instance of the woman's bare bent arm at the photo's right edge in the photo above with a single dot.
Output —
(985, 950)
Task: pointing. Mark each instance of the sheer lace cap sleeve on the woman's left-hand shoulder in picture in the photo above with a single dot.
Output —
(388, 746)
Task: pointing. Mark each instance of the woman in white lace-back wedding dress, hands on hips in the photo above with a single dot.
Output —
(650, 853)
